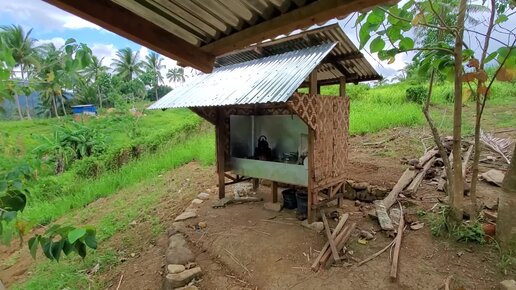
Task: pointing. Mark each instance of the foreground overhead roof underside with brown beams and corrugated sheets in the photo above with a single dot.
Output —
(195, 32)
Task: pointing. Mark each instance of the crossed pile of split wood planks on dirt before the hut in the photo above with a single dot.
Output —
(331, 251)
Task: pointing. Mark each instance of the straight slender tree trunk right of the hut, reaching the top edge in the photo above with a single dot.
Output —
(456, 194)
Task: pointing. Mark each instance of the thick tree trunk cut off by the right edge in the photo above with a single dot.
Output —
(505, 225)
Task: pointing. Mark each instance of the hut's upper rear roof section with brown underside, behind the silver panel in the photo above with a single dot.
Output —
(344, 60)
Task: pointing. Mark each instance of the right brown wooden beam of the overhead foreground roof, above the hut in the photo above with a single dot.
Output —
(313, 13)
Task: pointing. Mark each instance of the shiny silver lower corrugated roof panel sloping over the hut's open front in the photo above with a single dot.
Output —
(265, 80)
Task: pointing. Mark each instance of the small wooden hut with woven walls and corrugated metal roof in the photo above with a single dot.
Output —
(254, 92)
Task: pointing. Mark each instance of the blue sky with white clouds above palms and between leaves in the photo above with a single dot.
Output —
(50, 24)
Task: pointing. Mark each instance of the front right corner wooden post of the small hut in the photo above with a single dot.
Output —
(312, 89)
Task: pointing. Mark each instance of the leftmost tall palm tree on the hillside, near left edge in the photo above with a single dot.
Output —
(24, 52)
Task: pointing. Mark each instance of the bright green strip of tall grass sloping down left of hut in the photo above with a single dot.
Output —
(198, 147)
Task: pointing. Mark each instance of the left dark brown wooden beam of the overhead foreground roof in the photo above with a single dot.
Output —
(121, 21)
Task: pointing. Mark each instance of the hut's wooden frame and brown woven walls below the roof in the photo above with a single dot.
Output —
(327, 118)
